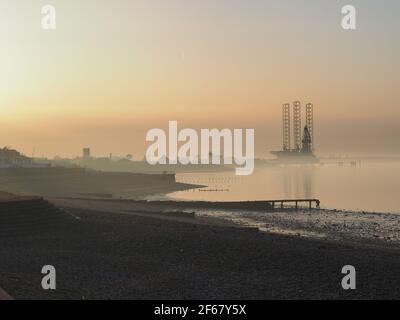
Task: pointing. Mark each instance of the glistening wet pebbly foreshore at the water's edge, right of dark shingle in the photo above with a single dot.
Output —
(379, 229)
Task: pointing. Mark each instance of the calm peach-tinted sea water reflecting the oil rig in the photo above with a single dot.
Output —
(370, 187)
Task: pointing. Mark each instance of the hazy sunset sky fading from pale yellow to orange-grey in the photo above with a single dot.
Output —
(115, 69)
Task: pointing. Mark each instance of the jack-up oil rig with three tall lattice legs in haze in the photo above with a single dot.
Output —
(302, 150)
